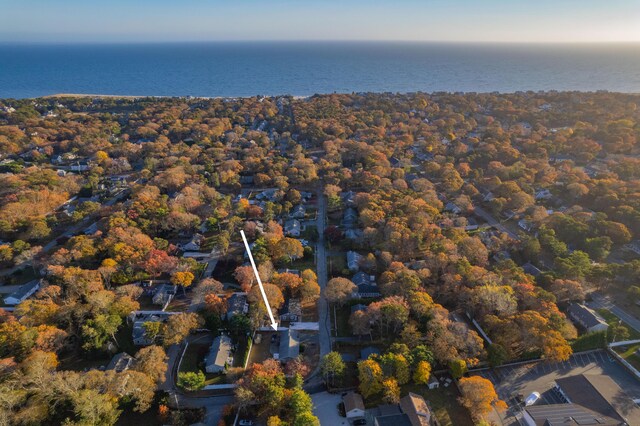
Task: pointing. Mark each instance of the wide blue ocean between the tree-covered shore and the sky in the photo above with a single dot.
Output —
(230, 69)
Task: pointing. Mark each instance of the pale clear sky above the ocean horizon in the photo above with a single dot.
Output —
(429, 20)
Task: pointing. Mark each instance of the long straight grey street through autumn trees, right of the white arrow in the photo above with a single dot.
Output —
(321, 267)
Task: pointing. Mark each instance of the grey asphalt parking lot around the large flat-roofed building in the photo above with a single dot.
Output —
(521, 380)
